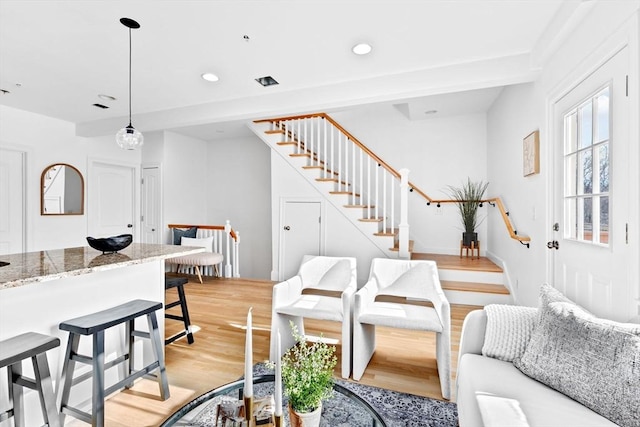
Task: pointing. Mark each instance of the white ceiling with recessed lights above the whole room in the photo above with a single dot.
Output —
(56, 57)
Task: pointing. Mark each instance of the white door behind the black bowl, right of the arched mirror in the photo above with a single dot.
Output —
(111, 200)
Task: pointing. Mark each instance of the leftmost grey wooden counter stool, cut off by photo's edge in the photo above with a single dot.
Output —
(13, 351)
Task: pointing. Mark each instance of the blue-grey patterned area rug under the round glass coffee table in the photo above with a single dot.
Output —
(396, 409)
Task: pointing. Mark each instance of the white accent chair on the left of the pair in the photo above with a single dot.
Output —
(323, 289)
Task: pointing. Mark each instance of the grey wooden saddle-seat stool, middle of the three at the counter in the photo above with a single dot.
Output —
(95, 325)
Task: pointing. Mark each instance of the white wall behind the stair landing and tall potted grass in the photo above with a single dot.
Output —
(438, 152)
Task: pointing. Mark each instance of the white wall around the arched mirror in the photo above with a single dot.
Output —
(47, 140)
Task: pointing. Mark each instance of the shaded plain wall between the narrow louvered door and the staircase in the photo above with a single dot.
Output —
(238, 187)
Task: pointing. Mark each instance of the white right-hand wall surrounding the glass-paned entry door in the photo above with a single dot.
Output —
(520, 110)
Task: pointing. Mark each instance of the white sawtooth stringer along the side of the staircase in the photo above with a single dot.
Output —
(383, 243)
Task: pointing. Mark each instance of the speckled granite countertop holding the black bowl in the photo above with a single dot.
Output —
(54, 264)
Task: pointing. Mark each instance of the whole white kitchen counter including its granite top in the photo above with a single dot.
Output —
(39, 290)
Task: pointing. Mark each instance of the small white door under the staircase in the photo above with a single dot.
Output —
(299, 235)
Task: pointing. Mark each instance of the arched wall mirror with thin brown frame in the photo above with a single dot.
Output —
(61, 190)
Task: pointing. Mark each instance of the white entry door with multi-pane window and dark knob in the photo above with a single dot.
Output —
(591, 192)
